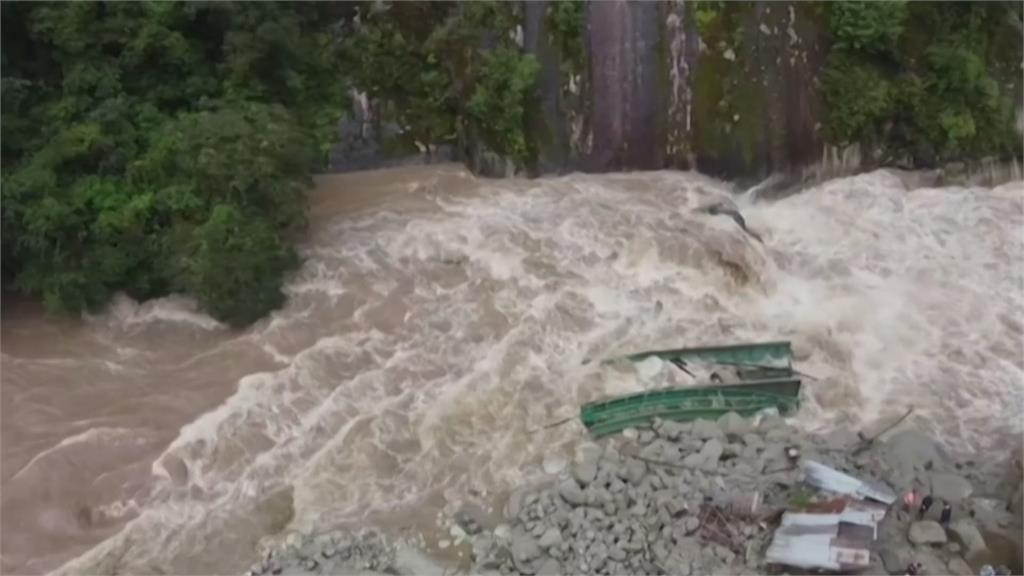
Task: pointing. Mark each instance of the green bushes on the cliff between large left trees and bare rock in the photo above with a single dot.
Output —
(447, 70)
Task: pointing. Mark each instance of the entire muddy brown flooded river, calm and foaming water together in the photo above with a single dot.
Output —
(441, 321)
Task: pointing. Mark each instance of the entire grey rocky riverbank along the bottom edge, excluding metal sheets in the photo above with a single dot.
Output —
(698, 499)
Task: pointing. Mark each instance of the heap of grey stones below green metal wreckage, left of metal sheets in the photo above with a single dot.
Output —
(674, 500)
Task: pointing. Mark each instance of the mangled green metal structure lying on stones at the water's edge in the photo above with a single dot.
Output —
(766, 381)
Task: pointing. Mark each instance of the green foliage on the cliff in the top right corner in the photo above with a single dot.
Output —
(923, 81)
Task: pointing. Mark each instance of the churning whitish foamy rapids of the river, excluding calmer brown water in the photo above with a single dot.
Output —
(467, 324)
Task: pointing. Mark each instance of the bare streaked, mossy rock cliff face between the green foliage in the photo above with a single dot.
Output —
(735, 98)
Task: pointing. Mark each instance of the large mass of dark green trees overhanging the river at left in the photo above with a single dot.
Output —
(154, 148)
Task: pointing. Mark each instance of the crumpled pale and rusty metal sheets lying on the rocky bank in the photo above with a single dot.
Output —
(837, 534)
